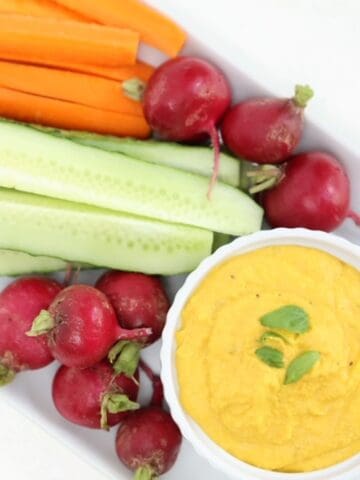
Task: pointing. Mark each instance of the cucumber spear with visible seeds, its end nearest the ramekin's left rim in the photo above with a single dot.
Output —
(79, 233)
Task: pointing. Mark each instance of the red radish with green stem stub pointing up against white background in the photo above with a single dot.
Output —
(266, 130)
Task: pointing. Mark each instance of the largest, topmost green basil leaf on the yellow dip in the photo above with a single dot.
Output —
(291, 318)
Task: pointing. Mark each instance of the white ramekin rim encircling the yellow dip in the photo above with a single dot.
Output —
(219, 458)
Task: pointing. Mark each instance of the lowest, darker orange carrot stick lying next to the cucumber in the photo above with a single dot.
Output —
(57, 113)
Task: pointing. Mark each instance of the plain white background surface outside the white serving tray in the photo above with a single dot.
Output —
(313, 41)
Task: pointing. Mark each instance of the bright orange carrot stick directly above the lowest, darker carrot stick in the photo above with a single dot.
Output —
(73, 87)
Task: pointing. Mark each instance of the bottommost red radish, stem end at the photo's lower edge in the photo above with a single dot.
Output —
(148, 442)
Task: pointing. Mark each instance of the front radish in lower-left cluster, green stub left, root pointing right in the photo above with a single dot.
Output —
(81, 327)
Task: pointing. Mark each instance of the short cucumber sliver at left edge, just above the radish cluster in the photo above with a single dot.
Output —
(19, 263)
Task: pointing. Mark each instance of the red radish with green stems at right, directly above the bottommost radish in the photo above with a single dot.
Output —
(94, 397)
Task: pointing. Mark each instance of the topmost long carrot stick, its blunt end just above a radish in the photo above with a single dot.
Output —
(155, 28)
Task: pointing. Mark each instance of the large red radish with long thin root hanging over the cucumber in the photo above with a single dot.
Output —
(185, 99)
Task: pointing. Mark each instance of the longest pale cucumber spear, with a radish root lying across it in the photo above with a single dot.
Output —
(33, 161)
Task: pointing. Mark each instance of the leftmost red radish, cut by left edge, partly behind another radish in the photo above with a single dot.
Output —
(20, 303)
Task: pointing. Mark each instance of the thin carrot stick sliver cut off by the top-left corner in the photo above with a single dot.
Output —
(38, 8)
